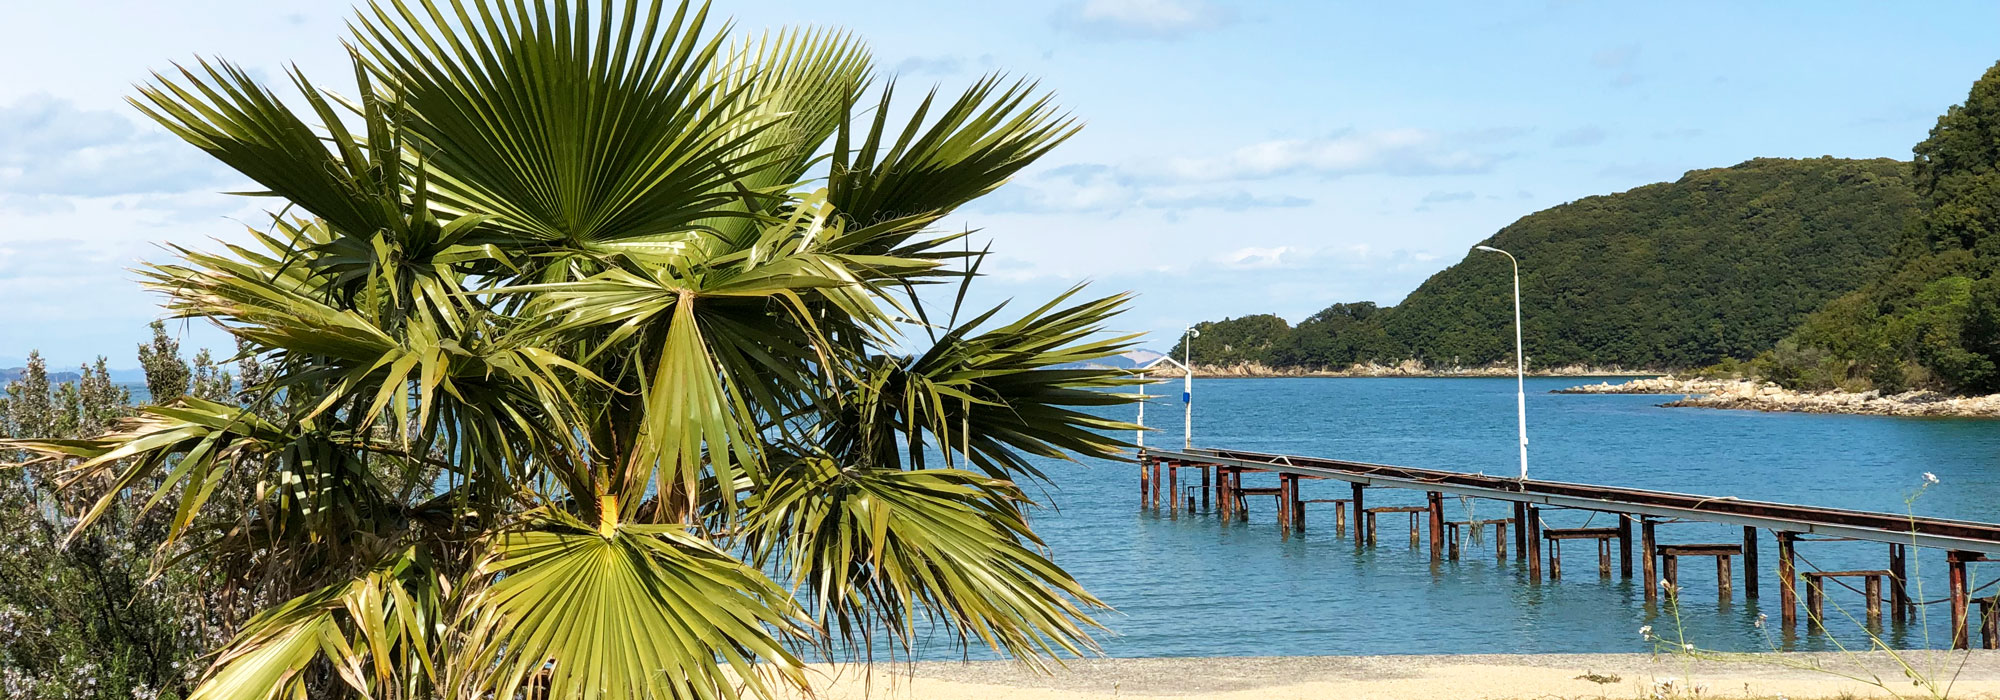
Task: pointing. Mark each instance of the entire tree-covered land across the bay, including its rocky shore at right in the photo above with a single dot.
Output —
(1849, 285)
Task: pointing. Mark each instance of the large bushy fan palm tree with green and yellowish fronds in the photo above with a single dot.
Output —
(599, 365)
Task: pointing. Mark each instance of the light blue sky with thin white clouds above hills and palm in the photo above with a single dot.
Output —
(1237, 157)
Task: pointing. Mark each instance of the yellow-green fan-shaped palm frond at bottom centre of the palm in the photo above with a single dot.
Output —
(631, 613)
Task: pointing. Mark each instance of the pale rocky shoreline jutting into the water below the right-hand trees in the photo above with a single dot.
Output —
(1753, 395)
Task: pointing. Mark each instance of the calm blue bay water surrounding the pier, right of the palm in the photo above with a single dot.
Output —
(1193, 587)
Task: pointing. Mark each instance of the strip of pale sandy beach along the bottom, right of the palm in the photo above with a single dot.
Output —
(1413, 679)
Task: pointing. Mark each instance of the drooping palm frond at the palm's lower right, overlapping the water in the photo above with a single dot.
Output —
(883, 549)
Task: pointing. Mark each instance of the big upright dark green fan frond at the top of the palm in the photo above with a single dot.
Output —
(569, 127)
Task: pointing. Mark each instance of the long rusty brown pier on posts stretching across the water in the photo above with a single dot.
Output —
(1217, 485)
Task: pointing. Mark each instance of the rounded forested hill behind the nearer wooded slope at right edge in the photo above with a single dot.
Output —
(1679, 275)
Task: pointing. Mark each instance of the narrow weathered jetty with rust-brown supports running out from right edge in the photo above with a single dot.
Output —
(1963, 541)
